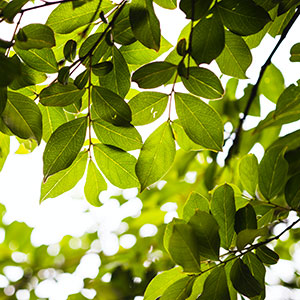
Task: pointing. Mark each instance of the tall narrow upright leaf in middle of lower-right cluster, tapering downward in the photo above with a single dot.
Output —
(223, 209)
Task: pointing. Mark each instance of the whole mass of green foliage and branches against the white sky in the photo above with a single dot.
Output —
(89, 116)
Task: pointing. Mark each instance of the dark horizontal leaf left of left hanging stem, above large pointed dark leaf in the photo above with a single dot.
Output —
(58, 94)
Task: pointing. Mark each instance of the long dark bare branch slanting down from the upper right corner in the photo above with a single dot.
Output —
(233, 149)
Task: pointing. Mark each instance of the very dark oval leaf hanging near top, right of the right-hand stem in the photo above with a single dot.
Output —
(208, 40)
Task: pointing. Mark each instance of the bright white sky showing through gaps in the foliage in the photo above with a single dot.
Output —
(21, 177)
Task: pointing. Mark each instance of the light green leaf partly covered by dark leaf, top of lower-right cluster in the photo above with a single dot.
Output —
(194, 202)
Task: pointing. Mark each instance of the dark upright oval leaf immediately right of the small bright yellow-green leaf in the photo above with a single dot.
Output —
(272, 172)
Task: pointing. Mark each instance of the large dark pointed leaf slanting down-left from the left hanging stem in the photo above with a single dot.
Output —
(64, 146)
